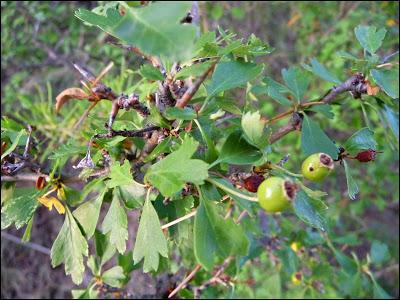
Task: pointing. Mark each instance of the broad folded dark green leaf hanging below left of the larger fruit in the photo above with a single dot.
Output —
(214, 236)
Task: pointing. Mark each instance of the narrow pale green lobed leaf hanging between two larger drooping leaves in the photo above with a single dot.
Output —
(116, 222)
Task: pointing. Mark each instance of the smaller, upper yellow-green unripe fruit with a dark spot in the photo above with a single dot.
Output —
(317, 166)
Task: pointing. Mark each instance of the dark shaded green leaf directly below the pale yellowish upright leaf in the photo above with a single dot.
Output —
(237, 151)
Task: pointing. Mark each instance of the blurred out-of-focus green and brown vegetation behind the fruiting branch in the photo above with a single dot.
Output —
(40, 40)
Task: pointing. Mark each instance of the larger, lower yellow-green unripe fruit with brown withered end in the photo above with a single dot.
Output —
(275, 194)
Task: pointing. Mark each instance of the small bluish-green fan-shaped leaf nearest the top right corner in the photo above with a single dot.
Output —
(369, 38)
